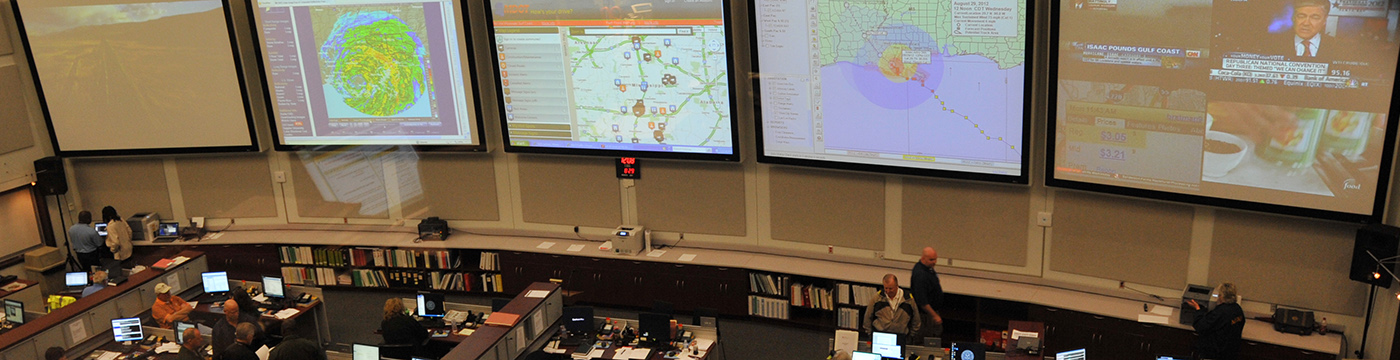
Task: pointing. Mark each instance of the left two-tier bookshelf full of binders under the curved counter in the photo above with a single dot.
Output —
(391, 268)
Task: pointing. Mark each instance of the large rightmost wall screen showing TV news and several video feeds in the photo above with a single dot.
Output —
(1280, 106)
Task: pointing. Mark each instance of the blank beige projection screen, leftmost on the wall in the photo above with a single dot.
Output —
(138, 78)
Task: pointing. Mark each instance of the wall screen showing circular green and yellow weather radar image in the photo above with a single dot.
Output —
(370, 74)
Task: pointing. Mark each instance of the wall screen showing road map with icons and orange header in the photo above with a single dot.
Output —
(632, 78)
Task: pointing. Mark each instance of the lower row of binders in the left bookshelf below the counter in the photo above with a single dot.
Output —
(398, 279)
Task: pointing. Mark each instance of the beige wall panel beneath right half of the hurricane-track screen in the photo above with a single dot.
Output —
(965, 221)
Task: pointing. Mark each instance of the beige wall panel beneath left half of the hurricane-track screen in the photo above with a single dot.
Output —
(828, 208)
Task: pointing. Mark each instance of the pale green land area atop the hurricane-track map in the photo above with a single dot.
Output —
(848, 30)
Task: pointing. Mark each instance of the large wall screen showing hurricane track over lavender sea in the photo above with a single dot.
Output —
(927, 88)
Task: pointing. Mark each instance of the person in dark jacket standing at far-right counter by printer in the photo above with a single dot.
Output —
(1220, 330)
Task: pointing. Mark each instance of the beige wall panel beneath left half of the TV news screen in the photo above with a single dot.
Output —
(1122, 239)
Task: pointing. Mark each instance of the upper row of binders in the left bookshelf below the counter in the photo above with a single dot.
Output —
(370, 257)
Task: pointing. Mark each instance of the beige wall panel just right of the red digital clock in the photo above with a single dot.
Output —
(689, 197)
